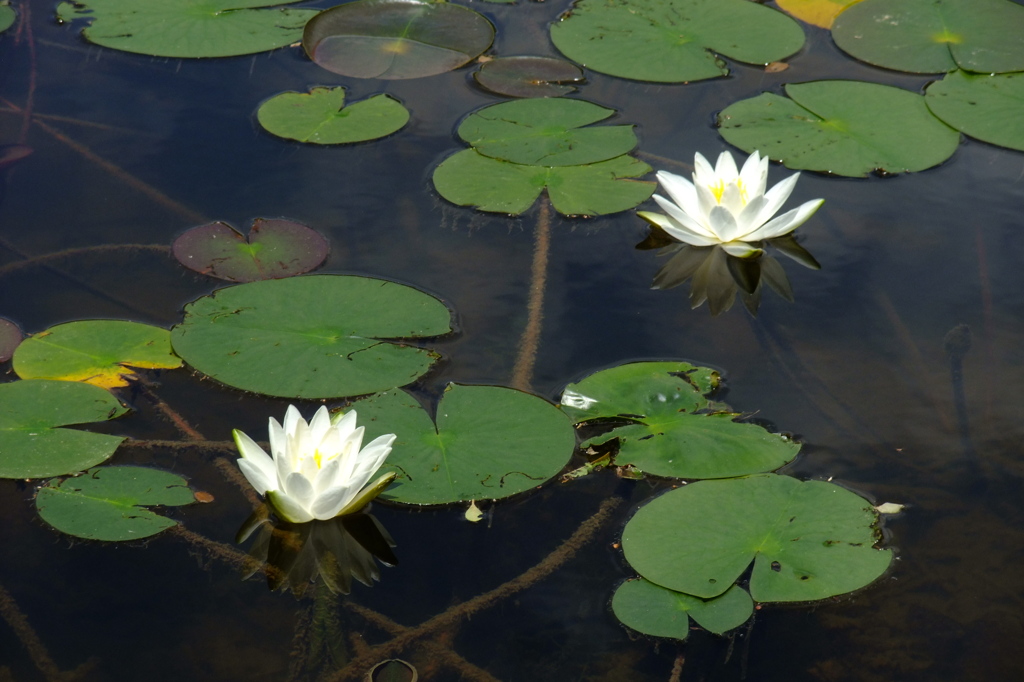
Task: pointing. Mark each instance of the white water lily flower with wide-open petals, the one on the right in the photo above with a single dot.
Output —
(728, 207)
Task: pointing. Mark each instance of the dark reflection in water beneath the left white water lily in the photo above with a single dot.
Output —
(293, 556)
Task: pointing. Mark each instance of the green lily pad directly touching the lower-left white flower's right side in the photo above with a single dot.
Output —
(489, 443)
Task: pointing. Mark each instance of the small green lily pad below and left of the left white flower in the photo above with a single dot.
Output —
(107, 503)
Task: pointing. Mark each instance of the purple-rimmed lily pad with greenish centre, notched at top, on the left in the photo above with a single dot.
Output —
(274, 249)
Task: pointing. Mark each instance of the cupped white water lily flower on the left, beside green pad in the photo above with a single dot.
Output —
(318, 471)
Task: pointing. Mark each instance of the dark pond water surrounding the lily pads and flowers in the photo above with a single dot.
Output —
(133, 151)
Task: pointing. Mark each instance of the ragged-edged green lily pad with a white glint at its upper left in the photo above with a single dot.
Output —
(665, 435)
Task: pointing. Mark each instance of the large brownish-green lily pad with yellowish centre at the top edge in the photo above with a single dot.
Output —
(397, 39)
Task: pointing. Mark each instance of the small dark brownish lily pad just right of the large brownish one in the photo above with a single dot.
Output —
(530, 77)
